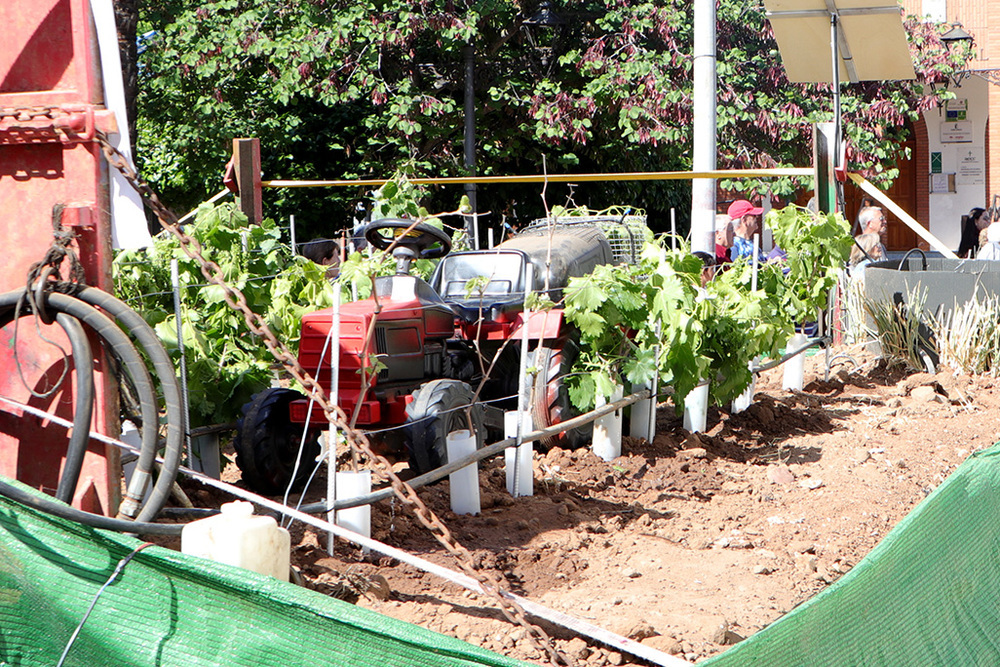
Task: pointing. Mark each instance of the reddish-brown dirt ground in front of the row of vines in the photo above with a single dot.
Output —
(693, 541)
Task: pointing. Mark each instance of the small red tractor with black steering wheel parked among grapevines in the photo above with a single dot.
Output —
(415, 358)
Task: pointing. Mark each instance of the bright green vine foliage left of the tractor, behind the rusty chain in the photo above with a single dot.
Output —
(226, 364)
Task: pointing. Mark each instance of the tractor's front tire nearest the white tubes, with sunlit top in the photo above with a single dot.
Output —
(434, 413)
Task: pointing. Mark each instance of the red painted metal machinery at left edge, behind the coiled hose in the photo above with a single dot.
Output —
(50, 107)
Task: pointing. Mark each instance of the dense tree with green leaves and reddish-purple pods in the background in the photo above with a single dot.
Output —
(338, 89)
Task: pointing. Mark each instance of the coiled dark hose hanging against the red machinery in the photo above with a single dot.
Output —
(74, 304)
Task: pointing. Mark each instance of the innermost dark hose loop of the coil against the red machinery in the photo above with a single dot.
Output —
(83, 406)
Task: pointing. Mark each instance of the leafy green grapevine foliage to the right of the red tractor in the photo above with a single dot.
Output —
(654, 316)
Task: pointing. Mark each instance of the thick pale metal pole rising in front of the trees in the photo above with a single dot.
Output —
(704, 128)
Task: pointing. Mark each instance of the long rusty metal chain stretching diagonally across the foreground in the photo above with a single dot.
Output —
(490, 581)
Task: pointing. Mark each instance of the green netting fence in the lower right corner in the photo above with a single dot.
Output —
(928, 594)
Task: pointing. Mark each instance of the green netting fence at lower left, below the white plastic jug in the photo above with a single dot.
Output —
(166, 608)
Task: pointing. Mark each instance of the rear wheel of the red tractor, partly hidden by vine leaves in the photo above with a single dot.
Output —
(551, 404)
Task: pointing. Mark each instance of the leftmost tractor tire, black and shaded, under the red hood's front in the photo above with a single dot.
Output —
(267, 443)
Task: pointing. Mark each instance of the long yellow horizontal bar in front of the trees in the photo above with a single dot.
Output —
(561, 178)
